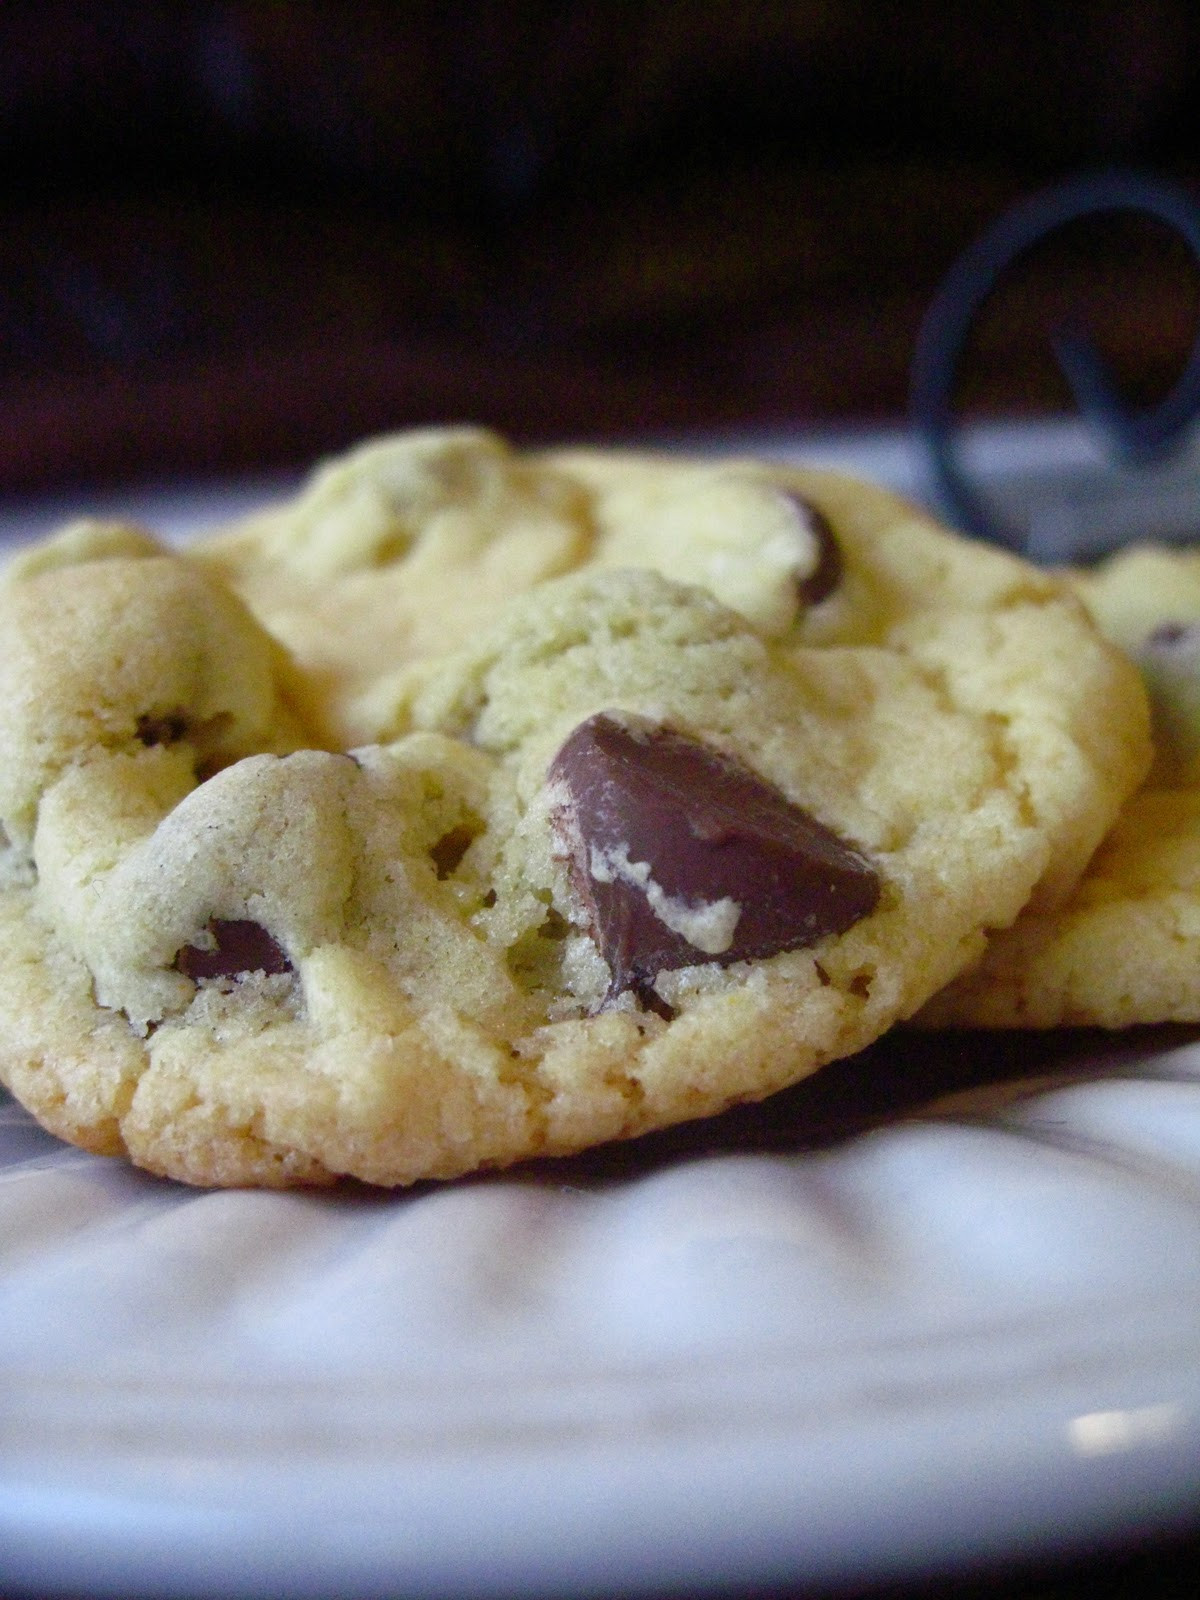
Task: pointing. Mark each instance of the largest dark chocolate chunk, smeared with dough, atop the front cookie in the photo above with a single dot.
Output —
(681, 855)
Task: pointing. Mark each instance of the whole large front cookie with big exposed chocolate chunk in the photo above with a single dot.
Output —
(478, 806)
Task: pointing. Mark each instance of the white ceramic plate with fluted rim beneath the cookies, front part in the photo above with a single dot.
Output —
(937, 1306)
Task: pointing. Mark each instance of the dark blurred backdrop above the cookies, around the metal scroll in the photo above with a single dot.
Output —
(244, 234)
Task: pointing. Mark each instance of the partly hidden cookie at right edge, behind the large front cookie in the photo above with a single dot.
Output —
(1126, 946)
